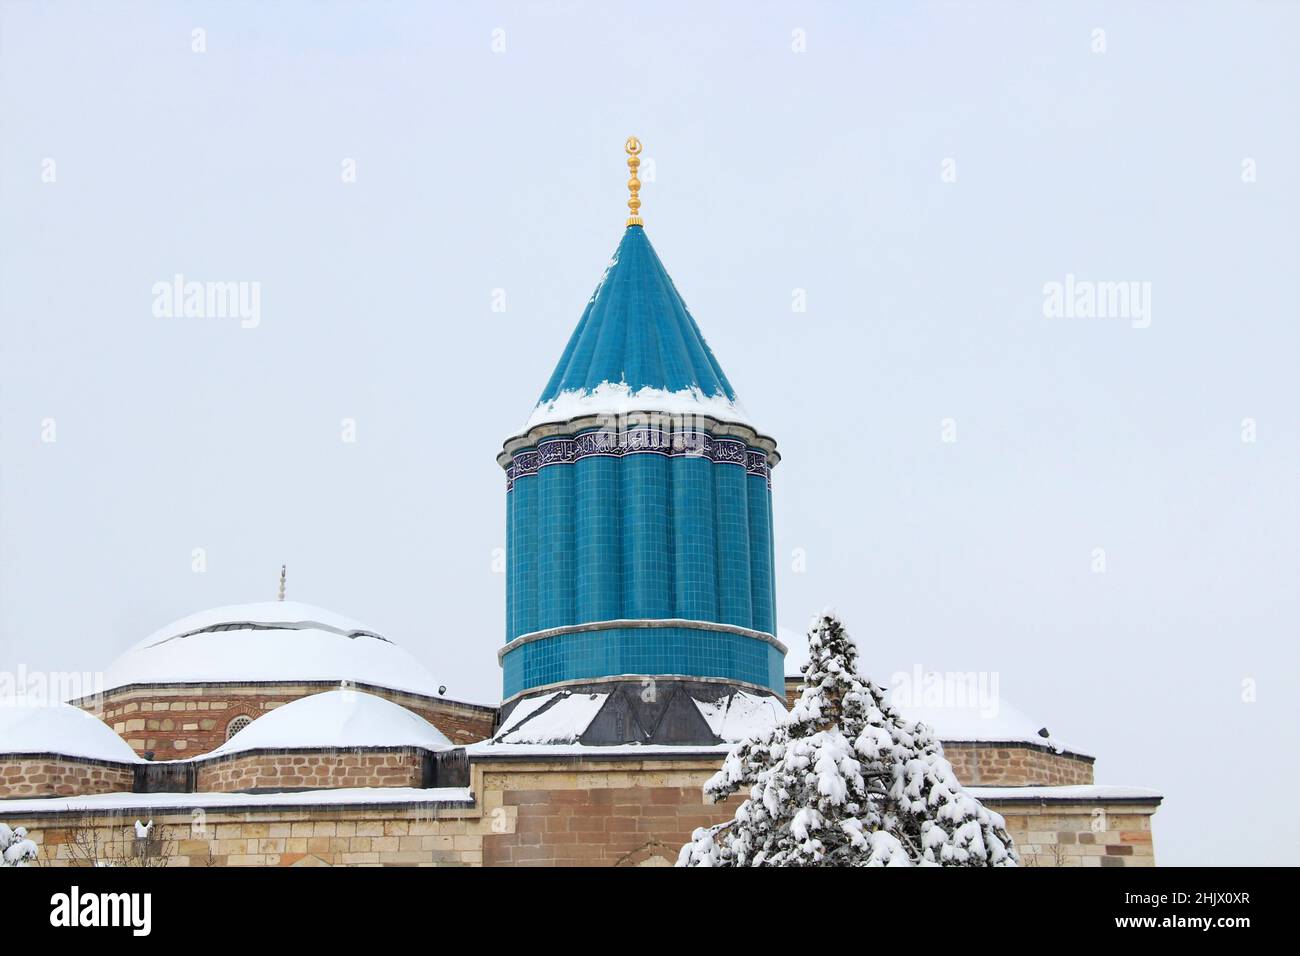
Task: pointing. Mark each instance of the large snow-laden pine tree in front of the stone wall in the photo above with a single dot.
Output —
(846, 782)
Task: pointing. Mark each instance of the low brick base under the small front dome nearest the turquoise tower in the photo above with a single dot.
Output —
(314, 769)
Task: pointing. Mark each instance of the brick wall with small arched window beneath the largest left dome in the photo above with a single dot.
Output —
(179, 721)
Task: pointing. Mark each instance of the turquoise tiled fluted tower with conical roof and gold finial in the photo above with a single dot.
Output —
(639, 544)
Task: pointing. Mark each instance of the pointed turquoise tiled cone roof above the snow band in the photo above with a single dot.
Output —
(636, 332)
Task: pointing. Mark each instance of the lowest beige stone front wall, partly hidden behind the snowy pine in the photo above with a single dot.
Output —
(562, 812)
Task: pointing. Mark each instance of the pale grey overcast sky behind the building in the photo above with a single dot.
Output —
(920, 171)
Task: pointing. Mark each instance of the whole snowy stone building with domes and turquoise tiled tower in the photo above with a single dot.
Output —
(642, 646)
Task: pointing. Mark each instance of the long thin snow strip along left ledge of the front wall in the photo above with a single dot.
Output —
(352, 797)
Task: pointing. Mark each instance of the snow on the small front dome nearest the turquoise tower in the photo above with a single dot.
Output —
(336, 720)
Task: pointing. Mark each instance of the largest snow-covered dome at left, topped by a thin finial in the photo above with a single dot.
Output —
(272, 642)
